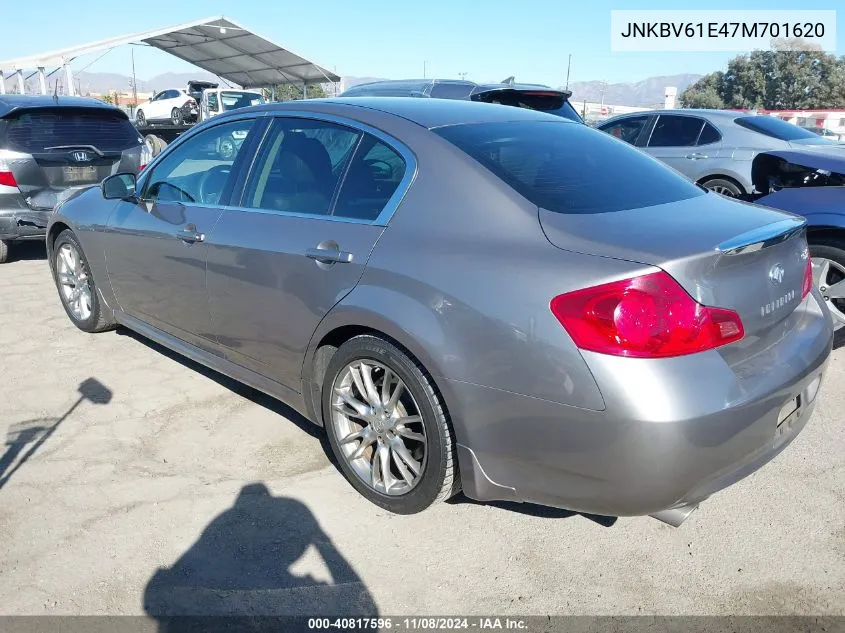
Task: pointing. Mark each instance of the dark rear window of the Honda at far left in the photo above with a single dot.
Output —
(38, 130)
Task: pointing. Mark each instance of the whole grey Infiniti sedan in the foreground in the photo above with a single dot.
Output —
(466, 296)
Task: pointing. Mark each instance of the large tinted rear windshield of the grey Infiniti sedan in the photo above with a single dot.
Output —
(570, 168)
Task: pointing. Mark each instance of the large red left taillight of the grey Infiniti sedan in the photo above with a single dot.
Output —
(649, 316)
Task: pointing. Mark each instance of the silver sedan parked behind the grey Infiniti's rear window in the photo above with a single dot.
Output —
(711, 147)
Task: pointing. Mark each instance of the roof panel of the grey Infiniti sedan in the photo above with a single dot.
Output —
(429, 113)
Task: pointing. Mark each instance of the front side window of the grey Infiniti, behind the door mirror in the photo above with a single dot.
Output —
(198, 170)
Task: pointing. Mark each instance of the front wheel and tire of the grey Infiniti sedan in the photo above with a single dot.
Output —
(76, 287)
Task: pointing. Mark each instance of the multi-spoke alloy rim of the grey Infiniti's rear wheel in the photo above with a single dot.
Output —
(379, 427)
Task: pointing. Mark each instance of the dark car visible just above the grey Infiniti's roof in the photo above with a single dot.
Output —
(532, 96)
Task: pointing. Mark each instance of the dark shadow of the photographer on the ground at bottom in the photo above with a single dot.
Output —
(264, 556)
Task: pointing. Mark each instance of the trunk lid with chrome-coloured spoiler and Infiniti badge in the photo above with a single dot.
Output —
(724, 253)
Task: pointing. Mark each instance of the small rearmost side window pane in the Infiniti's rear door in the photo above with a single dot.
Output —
(374, 175)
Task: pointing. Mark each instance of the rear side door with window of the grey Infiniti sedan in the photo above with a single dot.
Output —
(313, 207)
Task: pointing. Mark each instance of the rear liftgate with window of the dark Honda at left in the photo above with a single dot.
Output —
(53, 151)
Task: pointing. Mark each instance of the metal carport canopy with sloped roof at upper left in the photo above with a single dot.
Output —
(217, 45)
